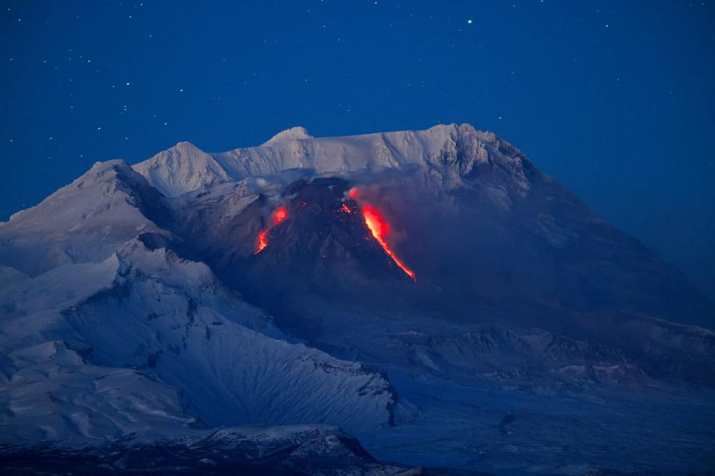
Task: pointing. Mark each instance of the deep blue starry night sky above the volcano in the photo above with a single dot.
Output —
(613, 98)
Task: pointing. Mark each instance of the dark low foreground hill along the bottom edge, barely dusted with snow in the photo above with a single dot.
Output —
(316, 450)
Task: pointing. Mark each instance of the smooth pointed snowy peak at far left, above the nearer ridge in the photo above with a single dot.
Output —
(84, 221)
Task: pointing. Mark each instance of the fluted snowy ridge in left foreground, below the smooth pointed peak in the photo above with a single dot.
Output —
(171, 318)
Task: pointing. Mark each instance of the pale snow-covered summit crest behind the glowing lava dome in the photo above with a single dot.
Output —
(451, 151)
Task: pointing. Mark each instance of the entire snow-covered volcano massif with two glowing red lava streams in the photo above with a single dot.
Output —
(138, 317)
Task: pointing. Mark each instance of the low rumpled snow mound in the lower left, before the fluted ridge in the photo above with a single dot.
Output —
(57, 395)
